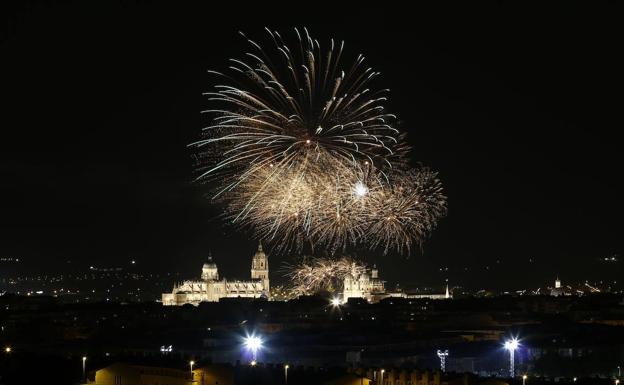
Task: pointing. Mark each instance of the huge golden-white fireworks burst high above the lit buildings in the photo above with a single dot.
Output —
(304, 153)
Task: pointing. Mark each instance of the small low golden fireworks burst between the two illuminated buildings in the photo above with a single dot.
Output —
(310, 277)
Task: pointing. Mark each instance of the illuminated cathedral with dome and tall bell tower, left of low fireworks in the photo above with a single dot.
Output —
(211, 289)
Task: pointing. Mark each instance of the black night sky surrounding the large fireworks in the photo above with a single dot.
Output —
(518, 108)
